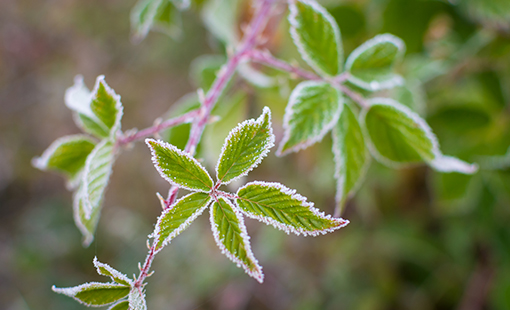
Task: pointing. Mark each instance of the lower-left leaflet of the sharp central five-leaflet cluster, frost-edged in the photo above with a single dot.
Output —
(179, 216)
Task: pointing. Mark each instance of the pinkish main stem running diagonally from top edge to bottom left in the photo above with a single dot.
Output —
(200, 119)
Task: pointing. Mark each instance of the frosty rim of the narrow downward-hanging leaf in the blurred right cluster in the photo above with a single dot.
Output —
(340, 196)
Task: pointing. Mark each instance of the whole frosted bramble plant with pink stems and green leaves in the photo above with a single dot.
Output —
(341, 97)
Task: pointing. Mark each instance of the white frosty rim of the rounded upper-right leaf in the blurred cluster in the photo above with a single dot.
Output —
(397, 80)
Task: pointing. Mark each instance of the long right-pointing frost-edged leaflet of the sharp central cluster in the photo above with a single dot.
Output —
(282, 207)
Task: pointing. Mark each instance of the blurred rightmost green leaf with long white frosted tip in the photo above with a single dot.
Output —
(399, 136)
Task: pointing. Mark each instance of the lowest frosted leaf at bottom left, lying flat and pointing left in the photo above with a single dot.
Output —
(95, 293)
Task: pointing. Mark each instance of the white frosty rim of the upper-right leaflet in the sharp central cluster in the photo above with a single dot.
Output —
(269, 143)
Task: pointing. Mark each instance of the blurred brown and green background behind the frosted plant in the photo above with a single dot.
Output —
(418, 239)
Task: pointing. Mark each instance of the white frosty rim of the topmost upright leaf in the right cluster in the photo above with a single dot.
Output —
(297, 41)
